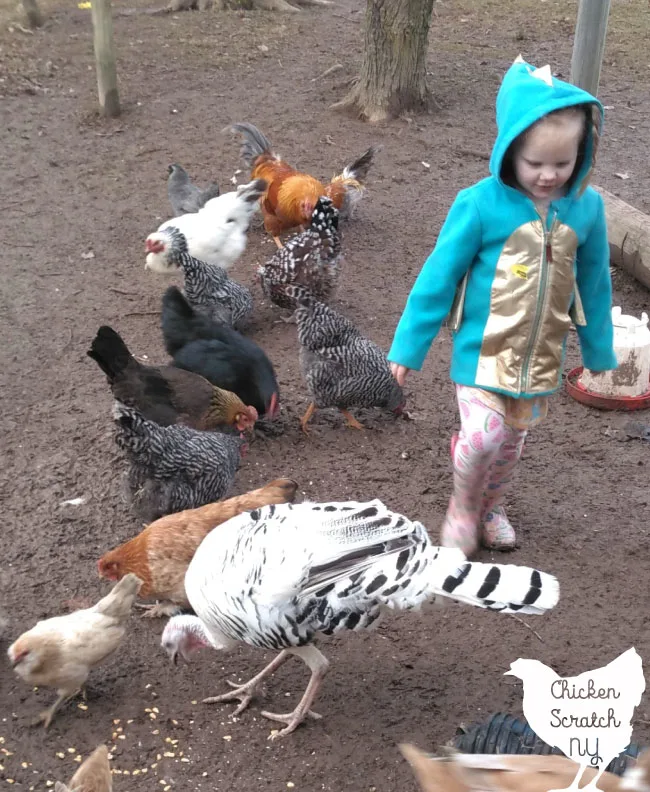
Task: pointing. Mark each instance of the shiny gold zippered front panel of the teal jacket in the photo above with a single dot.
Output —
(529, 311)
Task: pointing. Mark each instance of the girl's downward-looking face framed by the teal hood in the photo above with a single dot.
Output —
(545, 160)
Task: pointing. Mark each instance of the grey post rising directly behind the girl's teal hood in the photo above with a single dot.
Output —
(589, 44)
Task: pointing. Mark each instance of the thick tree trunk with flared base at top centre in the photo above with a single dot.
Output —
(393, 69)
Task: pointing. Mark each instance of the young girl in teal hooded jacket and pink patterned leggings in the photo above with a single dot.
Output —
(520, 255)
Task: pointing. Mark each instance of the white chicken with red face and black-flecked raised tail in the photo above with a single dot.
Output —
(216, 234)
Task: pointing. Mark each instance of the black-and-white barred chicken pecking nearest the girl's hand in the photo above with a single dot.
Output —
(341, 367)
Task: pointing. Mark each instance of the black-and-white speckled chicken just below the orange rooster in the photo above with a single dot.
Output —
(308, 259)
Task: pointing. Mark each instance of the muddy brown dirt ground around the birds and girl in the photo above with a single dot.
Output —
(73, 183)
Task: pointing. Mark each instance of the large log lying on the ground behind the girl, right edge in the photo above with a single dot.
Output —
(628, 230)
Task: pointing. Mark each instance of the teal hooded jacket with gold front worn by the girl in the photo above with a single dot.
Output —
(515, 281)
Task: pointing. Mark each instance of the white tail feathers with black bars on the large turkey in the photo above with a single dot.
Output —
(502, 587)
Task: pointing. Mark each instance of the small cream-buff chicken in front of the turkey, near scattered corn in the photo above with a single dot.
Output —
(61, 652)
